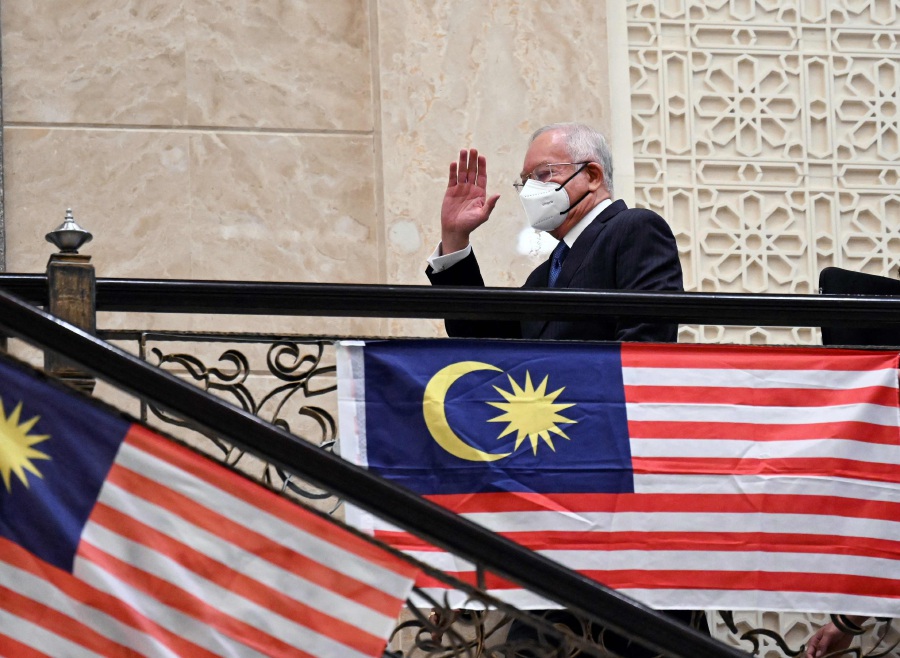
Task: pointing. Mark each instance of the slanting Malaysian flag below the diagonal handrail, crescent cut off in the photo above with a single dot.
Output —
(115, 541)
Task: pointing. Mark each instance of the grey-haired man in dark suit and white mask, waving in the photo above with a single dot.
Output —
(566, 189)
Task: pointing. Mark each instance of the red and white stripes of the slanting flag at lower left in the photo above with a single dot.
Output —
(183, 557)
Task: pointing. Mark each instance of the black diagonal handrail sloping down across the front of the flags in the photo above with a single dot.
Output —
(380, 497)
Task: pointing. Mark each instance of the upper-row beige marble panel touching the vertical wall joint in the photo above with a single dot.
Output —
(302, 65)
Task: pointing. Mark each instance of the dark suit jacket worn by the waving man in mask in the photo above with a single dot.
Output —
(622, 249)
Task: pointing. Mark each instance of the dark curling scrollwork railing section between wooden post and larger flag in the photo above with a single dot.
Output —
(294, 390)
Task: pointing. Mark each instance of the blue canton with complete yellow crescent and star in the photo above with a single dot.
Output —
(469, 417)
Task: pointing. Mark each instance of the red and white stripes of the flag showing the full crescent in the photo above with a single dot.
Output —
(765, 478)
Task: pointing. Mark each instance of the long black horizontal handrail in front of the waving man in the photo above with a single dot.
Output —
(357, 300)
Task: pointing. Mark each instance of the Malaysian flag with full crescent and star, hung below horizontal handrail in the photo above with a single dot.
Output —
(686, 476)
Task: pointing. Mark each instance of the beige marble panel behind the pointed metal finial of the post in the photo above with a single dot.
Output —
(129, 188)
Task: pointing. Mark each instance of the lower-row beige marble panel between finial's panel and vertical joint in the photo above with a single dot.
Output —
(284, 208)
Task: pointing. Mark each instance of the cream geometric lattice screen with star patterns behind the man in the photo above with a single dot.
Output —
(767, 132)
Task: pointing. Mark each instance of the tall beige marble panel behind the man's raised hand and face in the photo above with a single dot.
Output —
(484, 75)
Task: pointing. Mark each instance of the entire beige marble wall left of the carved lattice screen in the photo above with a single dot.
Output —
(293, 141)
